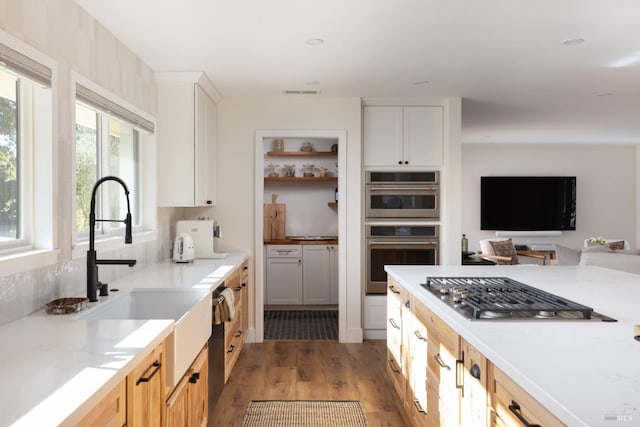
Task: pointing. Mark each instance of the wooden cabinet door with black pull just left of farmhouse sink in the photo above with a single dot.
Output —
(145, 391)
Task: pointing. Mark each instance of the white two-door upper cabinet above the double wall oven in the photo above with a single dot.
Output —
(403, 136)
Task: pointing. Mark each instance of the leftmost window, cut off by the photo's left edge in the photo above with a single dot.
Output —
(25, 151)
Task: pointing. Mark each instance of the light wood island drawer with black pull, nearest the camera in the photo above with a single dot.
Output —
(512, 406)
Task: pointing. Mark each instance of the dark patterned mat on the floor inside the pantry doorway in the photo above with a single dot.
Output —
(301, 325)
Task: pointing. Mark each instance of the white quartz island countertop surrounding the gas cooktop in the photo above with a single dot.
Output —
(587, 373)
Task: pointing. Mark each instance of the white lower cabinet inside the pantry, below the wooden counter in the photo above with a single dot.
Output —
(301, 274)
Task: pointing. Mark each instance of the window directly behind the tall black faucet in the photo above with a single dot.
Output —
(105, 146)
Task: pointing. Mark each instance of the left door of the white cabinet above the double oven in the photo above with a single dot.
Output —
(382, 136)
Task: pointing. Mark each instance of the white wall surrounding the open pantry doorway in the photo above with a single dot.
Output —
(239, 119)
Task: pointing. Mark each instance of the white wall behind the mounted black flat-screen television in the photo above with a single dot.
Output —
(606, 186)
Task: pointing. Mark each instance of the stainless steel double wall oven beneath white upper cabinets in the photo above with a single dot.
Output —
(400, 210)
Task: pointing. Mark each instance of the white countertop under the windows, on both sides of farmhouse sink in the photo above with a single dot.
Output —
(54, 368)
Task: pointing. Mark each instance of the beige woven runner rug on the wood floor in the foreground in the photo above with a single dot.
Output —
(307, 413)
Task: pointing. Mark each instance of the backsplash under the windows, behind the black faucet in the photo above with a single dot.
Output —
(23, 293)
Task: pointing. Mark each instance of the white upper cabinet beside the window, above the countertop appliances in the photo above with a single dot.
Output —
(186, 141)
